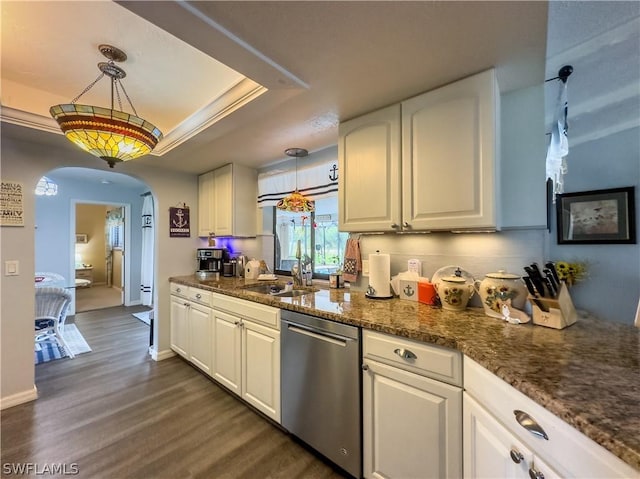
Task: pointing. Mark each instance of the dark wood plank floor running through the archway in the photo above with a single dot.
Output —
(115, 413)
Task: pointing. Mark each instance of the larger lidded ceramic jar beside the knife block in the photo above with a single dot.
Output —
(498, 288)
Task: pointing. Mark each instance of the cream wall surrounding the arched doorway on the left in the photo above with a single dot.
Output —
(25, 162)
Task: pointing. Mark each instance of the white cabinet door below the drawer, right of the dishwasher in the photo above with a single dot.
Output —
(412, 425)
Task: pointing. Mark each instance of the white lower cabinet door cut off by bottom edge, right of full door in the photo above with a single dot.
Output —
(490, 450)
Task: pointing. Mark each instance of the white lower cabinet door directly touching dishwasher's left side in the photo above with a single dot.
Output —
(261, 368)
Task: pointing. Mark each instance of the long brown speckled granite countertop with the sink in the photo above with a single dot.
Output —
(587, 374)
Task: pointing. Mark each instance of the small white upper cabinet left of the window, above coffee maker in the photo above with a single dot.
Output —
(227, 201)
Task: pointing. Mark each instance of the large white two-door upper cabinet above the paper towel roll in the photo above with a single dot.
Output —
(444, 176)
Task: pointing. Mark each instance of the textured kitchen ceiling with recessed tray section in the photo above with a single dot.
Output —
(321, 63)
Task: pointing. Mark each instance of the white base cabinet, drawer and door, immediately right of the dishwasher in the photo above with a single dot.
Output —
(412, 424)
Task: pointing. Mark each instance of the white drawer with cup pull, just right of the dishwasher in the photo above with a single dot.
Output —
(432, 361)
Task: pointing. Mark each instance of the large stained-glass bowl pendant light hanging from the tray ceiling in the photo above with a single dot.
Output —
(112, 135)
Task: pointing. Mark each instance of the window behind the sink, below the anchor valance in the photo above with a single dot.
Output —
(321, 244)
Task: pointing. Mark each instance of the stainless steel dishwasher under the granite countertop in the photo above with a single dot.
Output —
(321, 387)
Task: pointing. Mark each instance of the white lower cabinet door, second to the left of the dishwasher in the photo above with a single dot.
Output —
(226, 350)
